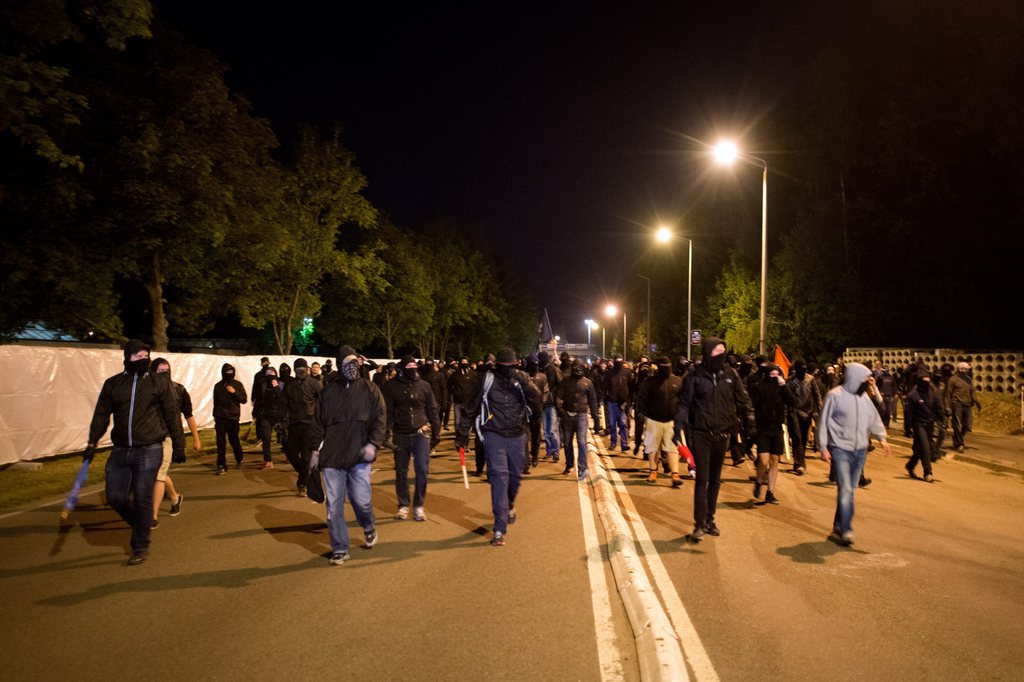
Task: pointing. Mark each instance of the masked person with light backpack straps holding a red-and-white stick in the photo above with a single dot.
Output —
(500, 405)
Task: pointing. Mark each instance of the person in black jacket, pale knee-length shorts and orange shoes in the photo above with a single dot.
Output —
(658, 400)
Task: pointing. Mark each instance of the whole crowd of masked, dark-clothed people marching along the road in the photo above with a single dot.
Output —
(331, 425)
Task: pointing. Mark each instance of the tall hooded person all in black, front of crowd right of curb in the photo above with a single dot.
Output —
(712, 400)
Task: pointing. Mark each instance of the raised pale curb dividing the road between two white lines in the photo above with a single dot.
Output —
(659, 653)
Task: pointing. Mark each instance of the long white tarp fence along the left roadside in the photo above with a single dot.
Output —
(50, 394)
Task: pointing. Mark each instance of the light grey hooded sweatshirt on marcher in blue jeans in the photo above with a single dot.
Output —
(847, 420)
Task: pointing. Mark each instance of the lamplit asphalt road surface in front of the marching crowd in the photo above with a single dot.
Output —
(238, 586)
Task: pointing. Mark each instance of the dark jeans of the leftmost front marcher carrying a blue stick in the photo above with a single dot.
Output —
(134, 472)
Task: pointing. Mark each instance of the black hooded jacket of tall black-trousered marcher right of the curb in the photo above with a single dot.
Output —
(713, 402)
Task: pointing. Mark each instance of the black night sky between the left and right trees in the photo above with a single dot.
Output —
(560, 134)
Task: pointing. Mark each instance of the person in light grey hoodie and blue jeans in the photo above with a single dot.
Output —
(847, 421)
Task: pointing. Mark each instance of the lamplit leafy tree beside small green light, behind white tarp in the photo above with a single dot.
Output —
(320, 202)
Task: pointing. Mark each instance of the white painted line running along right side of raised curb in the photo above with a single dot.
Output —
(694, 649)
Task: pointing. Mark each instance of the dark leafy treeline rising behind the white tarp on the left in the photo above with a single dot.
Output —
(129, 165)
